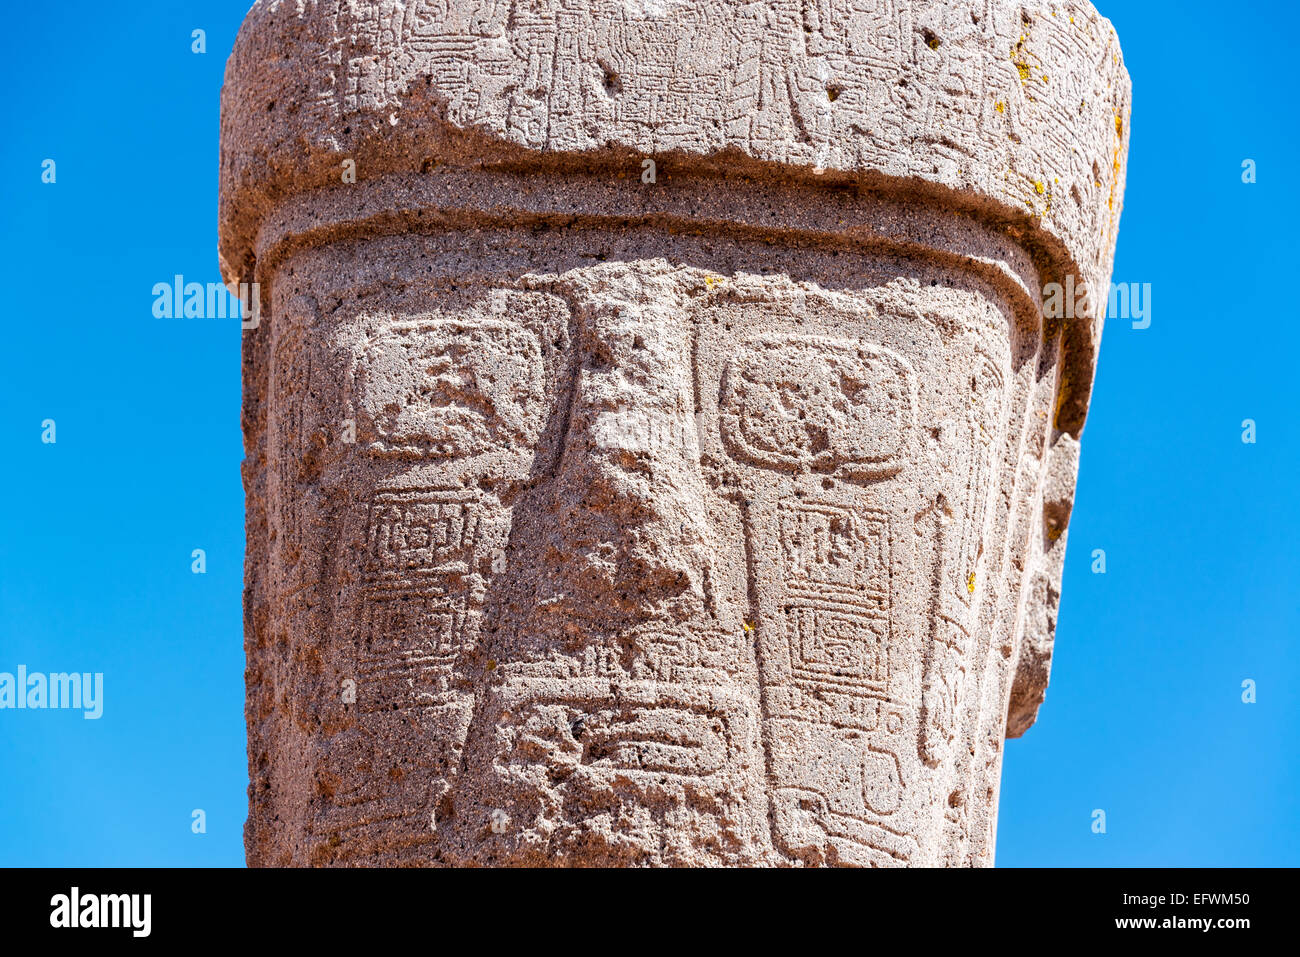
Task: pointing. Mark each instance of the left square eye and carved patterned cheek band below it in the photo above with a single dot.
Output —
(450, 413)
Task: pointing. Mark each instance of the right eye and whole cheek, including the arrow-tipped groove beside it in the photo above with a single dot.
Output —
(859, 526)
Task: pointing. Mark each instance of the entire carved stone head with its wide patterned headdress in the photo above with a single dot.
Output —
(709, 519)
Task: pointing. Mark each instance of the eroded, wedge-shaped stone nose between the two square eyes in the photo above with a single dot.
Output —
(630, 536)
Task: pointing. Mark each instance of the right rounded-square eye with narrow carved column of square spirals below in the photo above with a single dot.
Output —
(816, 425)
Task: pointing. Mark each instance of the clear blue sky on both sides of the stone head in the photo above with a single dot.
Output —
(1145, 717)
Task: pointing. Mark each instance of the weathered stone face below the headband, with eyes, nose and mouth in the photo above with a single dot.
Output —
(649, 558)
